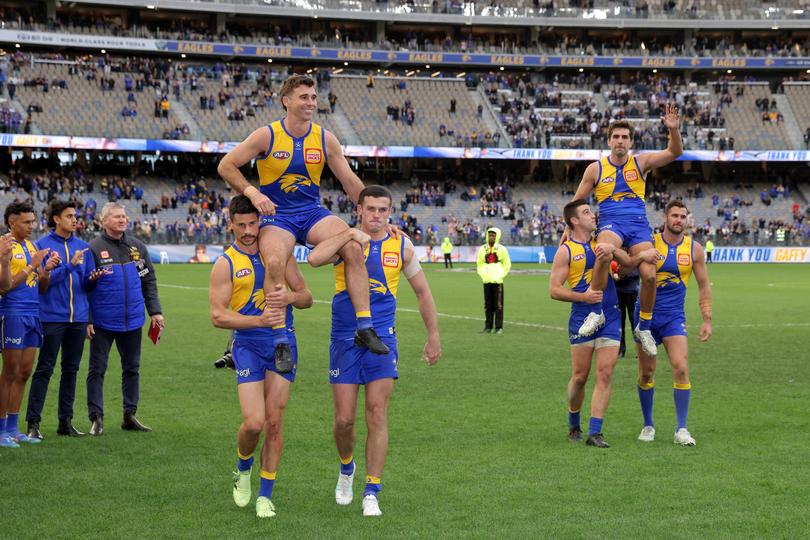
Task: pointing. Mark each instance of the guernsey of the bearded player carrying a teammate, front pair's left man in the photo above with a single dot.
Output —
(247, 297)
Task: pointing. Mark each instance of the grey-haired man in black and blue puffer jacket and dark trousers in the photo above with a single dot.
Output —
(127, 284)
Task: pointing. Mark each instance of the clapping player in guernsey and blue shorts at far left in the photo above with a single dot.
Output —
(19, 308)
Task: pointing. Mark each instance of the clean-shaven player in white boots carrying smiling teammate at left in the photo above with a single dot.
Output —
(388, 259)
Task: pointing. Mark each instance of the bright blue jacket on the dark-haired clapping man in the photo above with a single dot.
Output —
(66, 297)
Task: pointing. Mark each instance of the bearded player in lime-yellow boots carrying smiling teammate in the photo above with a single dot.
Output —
(237, 302)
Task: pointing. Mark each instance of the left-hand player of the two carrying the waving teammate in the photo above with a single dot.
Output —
(574, 262)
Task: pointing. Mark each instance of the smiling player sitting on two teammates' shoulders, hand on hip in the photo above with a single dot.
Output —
(290, 156)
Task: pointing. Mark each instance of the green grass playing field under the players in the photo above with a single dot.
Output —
(477, 443)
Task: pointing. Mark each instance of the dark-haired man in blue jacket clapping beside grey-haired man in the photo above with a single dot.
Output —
(63, 310)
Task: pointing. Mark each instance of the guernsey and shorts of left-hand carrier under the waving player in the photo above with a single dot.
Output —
(581, 261)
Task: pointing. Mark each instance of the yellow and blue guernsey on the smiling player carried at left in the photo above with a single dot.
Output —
(290, 171)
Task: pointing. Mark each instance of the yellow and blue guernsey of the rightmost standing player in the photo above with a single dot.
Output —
(674, 268)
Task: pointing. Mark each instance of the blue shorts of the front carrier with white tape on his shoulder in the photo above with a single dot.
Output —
(350, 364)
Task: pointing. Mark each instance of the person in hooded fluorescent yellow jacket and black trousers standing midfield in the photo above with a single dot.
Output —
(493, 266)
